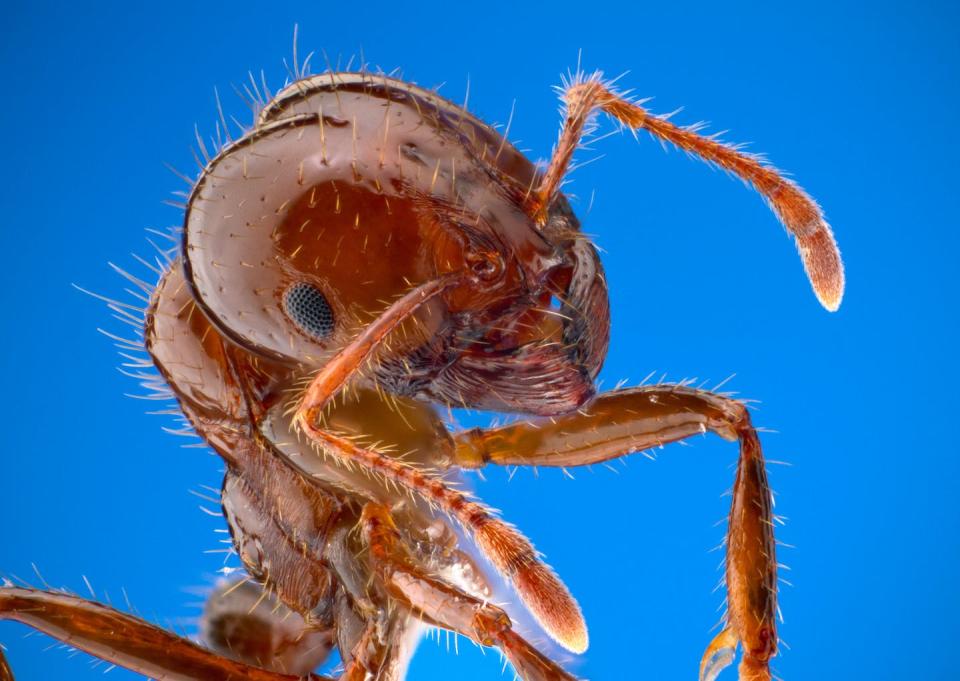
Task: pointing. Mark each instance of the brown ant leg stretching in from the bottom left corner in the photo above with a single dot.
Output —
(124, 640)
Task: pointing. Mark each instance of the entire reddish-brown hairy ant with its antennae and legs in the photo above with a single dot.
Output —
(365, 252)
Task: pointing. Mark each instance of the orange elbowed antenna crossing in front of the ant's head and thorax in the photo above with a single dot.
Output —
(512, 553)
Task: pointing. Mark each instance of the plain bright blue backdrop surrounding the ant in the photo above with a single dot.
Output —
(860, 105)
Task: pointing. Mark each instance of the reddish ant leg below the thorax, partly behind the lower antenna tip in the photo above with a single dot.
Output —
(442, 604)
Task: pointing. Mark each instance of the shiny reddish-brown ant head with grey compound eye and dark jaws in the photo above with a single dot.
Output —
(351, 190)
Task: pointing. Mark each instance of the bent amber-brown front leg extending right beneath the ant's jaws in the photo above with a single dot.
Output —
(630, 420)
